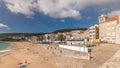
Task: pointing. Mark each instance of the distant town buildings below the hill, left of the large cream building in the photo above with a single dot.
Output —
(72, 37)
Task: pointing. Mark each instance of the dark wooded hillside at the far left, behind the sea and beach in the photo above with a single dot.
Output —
(17, 36)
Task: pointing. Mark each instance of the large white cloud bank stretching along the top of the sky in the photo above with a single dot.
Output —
(54, 8)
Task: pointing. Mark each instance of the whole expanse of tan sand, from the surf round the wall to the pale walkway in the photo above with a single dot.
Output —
(37, 56)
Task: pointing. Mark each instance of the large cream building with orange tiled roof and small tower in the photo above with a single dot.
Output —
(107, 28)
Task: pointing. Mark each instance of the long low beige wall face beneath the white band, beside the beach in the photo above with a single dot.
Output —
(69, 53)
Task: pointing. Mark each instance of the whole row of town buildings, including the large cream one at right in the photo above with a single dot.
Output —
(107, 31)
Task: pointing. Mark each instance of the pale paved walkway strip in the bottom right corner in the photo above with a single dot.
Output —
(113, 62)
